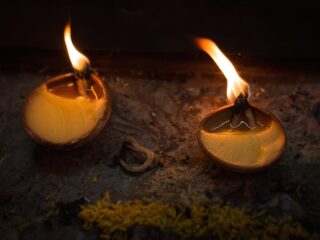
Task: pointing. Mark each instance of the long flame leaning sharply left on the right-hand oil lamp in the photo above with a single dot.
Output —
(236, 85)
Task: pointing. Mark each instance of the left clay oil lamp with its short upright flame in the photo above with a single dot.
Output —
(71, 108)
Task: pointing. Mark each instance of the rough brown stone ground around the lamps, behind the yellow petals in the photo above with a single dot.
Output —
(162, 111)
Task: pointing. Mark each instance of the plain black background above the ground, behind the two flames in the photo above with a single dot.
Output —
(278, 29)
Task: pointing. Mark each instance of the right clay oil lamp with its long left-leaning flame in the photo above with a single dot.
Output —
(239, 136)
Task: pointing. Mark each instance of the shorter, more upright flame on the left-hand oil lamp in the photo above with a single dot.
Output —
(79, 61)
